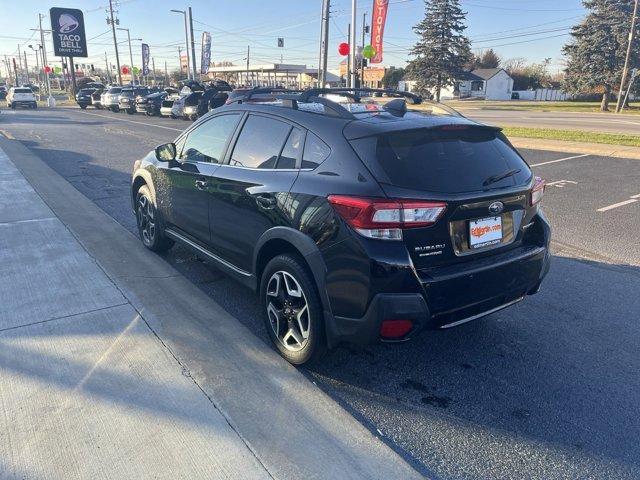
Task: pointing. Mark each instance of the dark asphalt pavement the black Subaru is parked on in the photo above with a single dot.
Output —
(547, 389)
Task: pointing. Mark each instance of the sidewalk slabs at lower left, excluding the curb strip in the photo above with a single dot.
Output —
(86, 389)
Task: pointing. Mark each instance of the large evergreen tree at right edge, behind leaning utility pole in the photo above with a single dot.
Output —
(595, 55)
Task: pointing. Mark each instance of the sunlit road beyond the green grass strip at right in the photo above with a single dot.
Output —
(593, 122)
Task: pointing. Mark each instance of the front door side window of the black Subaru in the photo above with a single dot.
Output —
(206, 142)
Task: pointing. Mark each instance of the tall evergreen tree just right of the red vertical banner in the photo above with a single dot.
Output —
(443, 50)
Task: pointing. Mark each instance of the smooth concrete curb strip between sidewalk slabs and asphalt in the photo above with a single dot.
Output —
(294, 429)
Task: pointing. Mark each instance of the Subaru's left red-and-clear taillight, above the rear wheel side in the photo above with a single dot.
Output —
(385, 219)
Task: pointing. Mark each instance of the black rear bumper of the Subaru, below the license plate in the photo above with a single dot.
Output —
(452, 296)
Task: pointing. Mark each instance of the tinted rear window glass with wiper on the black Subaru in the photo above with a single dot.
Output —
(443, 161)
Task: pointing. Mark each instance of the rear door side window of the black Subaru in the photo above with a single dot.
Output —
(259, 143)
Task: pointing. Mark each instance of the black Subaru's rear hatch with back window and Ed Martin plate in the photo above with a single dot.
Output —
(473, 170)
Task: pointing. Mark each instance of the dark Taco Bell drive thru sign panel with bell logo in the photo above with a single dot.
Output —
(69, 38)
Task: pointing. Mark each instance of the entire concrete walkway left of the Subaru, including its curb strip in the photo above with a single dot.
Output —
(113, 365)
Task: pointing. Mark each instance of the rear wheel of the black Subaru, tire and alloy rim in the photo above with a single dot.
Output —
(288, 318)
